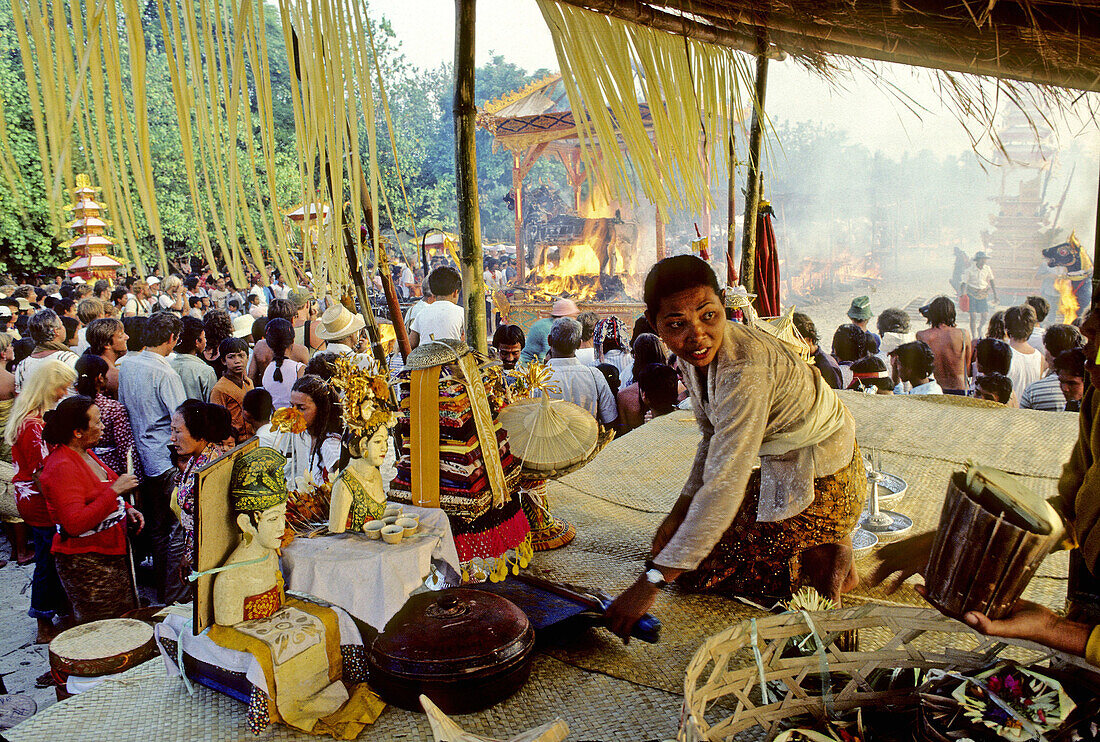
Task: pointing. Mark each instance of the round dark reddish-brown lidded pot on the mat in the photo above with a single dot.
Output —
(465, 649)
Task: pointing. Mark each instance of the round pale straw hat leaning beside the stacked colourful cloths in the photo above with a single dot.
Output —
(549, 435)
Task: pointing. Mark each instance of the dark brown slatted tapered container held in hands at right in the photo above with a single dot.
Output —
(982, 560)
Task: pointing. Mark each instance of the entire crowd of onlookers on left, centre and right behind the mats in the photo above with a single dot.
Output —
(113, 397)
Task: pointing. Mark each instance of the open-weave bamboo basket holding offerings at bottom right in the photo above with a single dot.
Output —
(723, 699)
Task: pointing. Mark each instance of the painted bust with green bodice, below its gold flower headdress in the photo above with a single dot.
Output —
(358, 495)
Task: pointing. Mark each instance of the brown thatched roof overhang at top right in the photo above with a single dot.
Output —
(1047, 42)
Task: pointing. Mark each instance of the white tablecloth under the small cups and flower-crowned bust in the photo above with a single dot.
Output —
(370, 579)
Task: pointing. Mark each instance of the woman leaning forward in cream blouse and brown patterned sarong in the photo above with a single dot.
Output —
(738, 529)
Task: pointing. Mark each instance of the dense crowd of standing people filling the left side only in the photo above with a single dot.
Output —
(113, 397)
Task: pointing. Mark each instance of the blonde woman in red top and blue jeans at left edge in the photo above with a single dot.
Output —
(45, 389)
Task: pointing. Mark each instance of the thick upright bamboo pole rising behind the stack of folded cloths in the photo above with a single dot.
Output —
(466, 168)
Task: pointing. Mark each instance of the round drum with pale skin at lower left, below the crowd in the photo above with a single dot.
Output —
(102, 648)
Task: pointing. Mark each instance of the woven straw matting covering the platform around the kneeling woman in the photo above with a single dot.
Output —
(603, 689)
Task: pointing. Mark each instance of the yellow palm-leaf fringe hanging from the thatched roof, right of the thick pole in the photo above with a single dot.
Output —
(687, 84)
